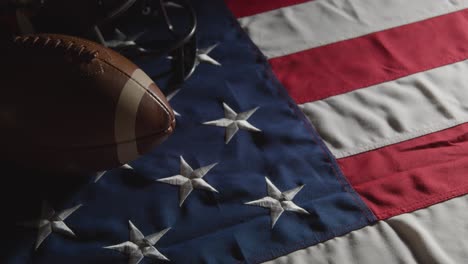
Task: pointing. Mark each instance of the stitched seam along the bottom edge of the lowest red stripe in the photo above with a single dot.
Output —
(424, 203)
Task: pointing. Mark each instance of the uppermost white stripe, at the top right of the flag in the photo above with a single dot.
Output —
(304, 26)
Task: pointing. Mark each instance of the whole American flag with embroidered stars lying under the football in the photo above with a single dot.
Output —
(326, 131)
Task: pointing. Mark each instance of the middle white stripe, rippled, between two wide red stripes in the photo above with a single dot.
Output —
(392, 112)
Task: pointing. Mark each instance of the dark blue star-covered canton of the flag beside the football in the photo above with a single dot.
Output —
(213, 223)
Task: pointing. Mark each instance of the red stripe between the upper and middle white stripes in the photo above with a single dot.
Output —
(379, 57)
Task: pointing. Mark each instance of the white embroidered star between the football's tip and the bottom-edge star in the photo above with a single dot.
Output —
(189, 179)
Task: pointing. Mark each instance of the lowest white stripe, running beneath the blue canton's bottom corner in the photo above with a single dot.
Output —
(432, 235)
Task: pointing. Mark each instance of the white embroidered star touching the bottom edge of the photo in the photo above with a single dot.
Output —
(140, 246)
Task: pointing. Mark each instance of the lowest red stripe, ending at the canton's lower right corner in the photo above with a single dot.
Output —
(411, 175)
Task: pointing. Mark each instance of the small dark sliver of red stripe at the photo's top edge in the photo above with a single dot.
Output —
(243, 8)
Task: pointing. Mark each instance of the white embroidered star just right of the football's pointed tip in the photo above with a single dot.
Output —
(233, 122)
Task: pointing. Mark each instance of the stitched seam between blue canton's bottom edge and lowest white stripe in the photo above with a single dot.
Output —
(319, 238)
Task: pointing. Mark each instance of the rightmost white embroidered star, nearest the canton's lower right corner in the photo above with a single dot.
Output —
(278, 201)
